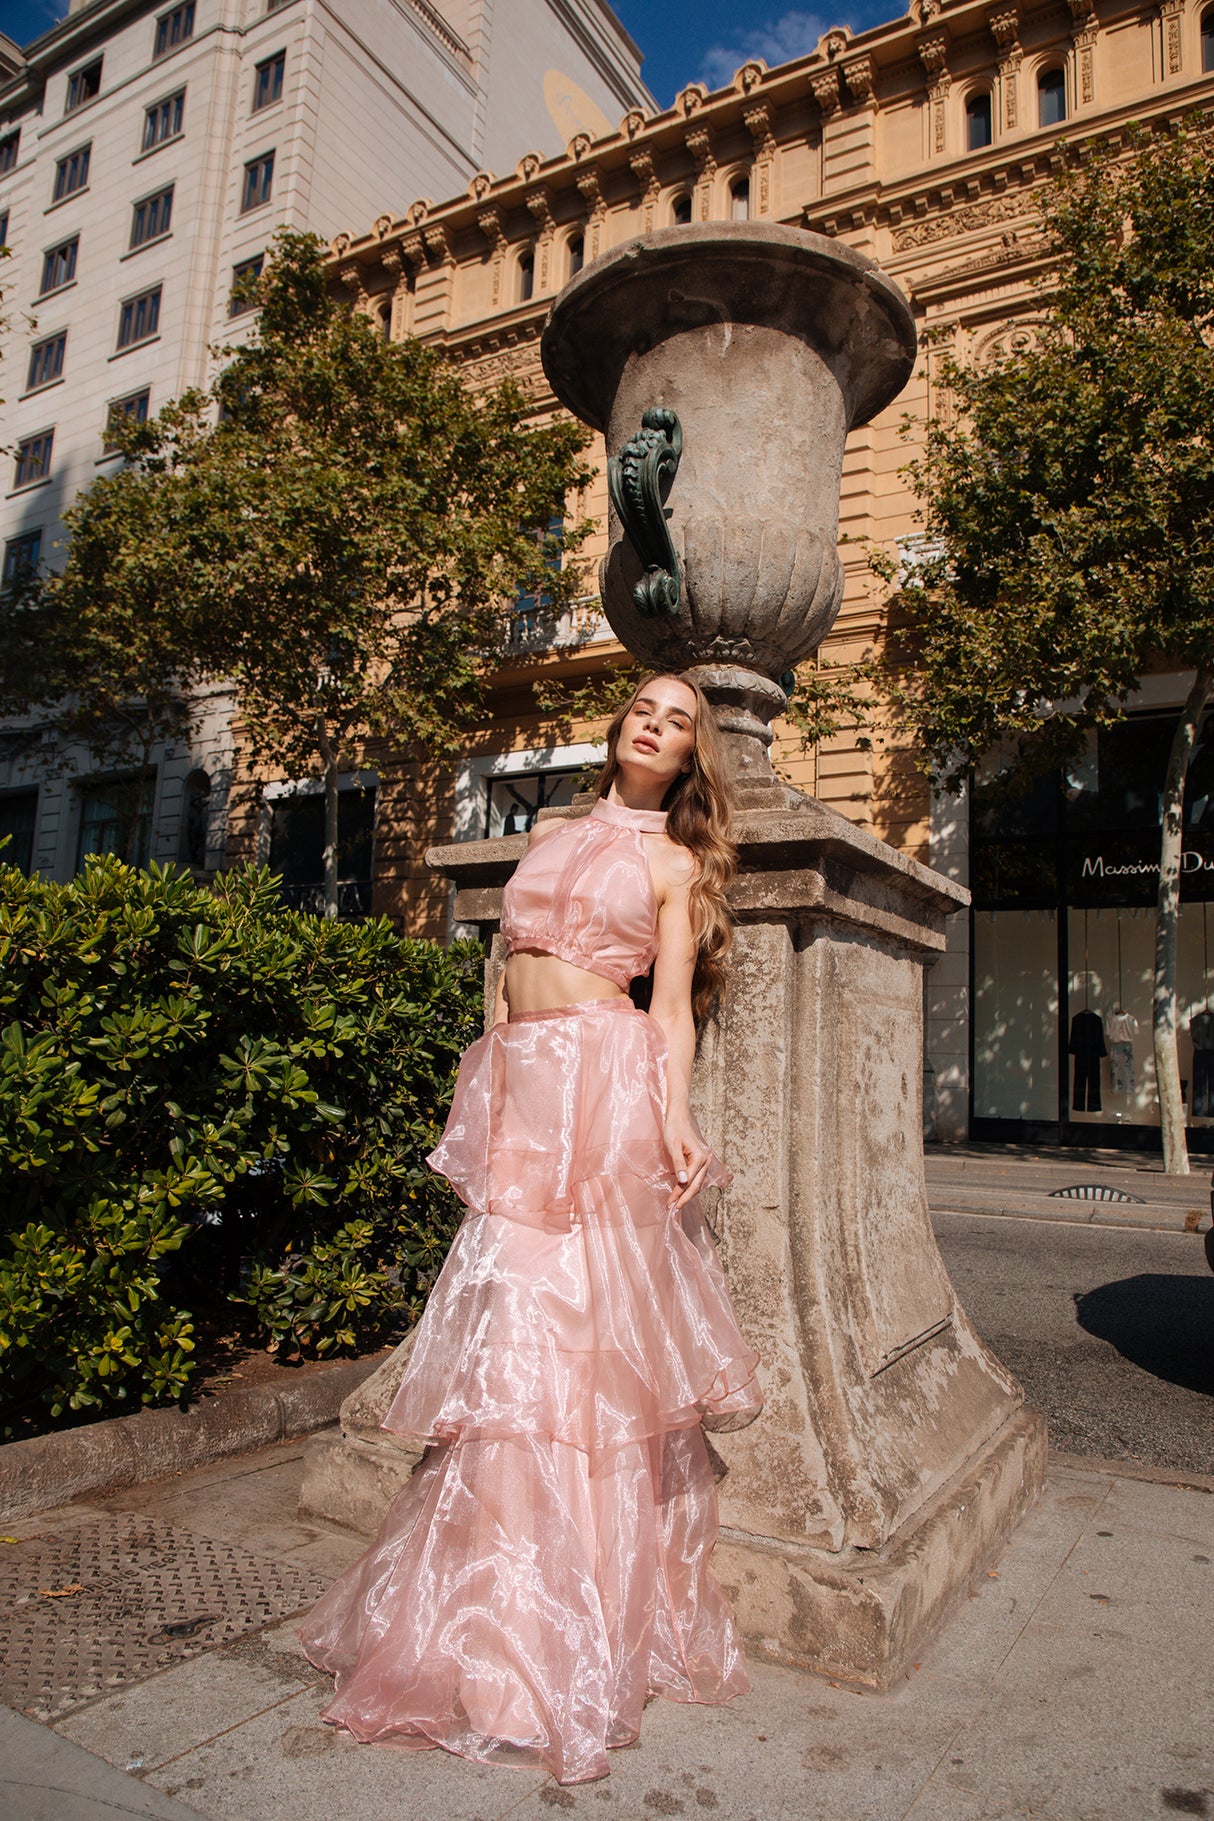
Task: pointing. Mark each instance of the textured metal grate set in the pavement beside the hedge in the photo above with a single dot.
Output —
(114, 1602)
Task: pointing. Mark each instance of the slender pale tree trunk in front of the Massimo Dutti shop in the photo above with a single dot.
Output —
(1168, 921)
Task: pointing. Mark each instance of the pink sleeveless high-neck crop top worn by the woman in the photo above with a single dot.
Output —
(587, 895)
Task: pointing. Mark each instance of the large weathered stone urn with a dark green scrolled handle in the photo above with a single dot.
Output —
(725, 367)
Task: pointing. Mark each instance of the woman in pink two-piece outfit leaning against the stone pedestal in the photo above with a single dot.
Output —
(549, 1563)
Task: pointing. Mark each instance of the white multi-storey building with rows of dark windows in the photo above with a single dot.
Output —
(148, 154)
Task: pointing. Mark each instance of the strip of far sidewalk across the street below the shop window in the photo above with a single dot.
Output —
(1018, 1181)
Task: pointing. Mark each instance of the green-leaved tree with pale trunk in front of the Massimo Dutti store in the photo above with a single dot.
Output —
(1069, 509)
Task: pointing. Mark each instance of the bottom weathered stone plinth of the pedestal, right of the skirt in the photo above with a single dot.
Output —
(865, 1616)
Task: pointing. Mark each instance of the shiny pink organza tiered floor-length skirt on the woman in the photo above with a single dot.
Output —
(547, 1567)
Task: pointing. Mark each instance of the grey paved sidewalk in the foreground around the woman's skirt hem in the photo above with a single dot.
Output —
(1073, 1685)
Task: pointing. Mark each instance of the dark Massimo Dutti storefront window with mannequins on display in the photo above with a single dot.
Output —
(1064, 882)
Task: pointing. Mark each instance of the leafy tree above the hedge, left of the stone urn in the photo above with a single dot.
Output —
(338, 527)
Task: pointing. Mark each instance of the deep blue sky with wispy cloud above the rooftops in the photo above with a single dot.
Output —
(703, 41)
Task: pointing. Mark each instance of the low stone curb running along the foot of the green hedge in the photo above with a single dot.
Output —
(52, 1470)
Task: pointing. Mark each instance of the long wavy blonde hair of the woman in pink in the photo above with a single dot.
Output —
(698, 817)
